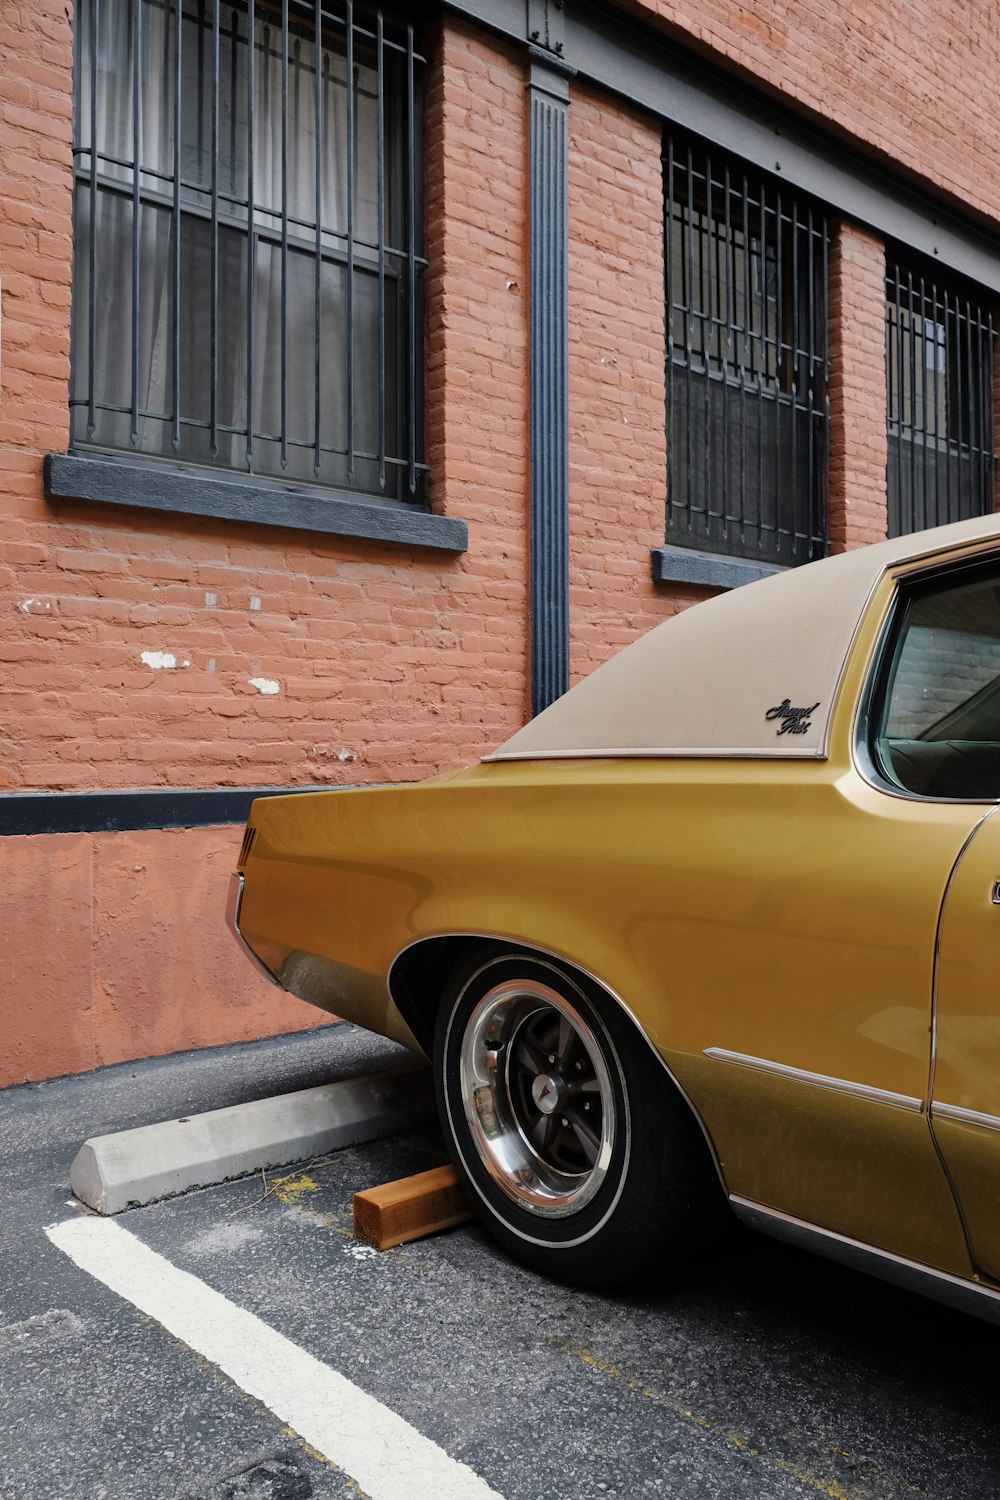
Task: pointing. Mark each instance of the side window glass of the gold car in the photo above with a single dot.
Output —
(938, 718)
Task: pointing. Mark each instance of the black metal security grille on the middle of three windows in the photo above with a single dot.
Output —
(747, 365)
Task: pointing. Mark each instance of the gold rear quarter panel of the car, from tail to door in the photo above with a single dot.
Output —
(740, 905)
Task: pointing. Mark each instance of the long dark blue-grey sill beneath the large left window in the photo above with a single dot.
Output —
(341, 514)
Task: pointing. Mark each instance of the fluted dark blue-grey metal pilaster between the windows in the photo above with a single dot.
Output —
(549, 95)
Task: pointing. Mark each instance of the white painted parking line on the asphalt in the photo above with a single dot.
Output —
(388, 1457)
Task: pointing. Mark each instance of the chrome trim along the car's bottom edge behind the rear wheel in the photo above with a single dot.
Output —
(957, 1292)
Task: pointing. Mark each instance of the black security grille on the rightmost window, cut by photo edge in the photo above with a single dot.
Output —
(939, 379)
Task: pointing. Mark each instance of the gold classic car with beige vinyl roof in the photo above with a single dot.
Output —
(719, 928)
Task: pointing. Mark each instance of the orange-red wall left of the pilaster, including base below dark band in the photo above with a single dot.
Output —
(392, 664)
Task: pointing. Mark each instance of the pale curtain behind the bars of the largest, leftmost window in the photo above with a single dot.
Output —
(286, 152)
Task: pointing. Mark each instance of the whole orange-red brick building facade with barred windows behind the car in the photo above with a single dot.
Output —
(774, 226)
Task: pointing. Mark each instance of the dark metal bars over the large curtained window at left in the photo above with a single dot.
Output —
(248, 239)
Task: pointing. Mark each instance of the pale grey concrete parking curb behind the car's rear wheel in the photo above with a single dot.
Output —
(142, 1166)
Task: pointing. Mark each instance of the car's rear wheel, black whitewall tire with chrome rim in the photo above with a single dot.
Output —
(575, 1147)
